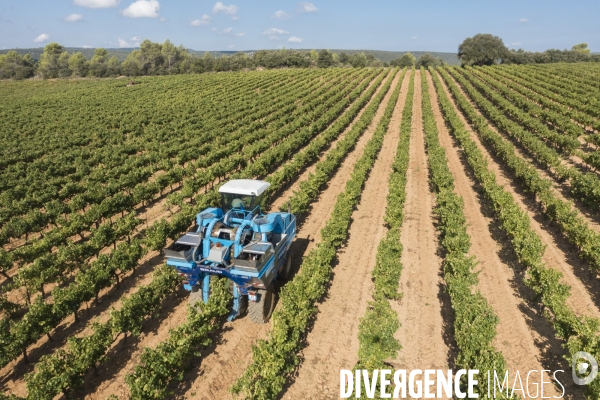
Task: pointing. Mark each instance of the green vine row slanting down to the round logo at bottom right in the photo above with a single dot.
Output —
(580, 333)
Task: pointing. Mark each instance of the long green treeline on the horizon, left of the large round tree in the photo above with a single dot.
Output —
(166, 59)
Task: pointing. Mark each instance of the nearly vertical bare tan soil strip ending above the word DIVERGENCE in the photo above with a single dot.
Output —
(424, 308)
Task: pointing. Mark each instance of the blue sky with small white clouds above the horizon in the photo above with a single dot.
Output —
(399, 25)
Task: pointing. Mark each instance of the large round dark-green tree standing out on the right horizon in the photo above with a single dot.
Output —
(482, 49)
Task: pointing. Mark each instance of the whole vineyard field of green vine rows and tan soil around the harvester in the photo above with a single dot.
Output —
(448, 218)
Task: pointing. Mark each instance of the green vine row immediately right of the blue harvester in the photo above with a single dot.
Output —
(275, 358)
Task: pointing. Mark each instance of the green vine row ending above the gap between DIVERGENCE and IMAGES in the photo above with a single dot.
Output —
(475, 320)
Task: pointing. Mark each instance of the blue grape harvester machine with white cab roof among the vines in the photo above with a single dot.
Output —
(241, 243)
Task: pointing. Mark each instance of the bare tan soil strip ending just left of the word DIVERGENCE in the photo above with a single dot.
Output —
(333, 340)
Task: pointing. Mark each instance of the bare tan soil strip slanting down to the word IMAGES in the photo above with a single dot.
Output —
(521, 346)
